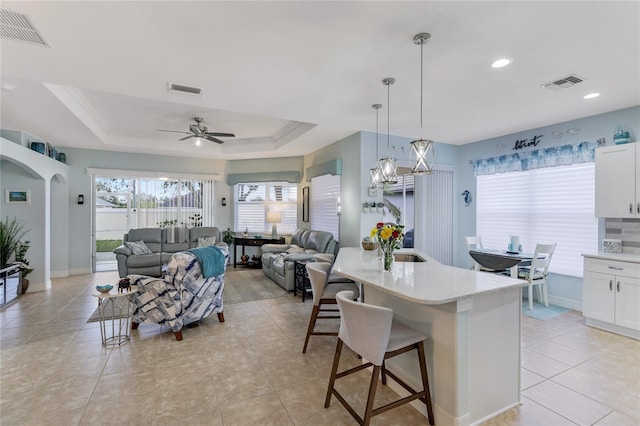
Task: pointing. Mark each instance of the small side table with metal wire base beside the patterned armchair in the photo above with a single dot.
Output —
(115, 310)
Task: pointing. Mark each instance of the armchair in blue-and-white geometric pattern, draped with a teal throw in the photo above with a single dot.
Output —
(181, 297)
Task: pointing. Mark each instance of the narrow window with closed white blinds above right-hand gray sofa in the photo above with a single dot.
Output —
(324, 200)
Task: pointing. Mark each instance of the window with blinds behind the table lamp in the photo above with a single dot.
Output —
(254, 200)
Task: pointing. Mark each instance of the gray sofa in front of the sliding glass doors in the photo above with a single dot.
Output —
(161, 250)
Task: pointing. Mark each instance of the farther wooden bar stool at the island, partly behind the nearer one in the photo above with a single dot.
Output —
(324, 293)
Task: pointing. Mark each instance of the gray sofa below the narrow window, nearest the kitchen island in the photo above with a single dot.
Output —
(278, 259)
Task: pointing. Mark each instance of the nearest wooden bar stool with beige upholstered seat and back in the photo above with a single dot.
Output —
(371, 332)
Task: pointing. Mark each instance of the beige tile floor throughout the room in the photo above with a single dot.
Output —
(249, 370)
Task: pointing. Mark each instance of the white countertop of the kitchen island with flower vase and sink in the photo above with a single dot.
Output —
(427, 283)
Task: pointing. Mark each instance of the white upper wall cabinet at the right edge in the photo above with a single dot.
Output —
(617, 181)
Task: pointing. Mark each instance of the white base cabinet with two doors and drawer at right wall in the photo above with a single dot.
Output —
(611, 295)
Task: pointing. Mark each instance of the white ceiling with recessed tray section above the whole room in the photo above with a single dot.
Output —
(291, 77)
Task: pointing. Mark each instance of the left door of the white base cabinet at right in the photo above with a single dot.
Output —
(598, 298)
